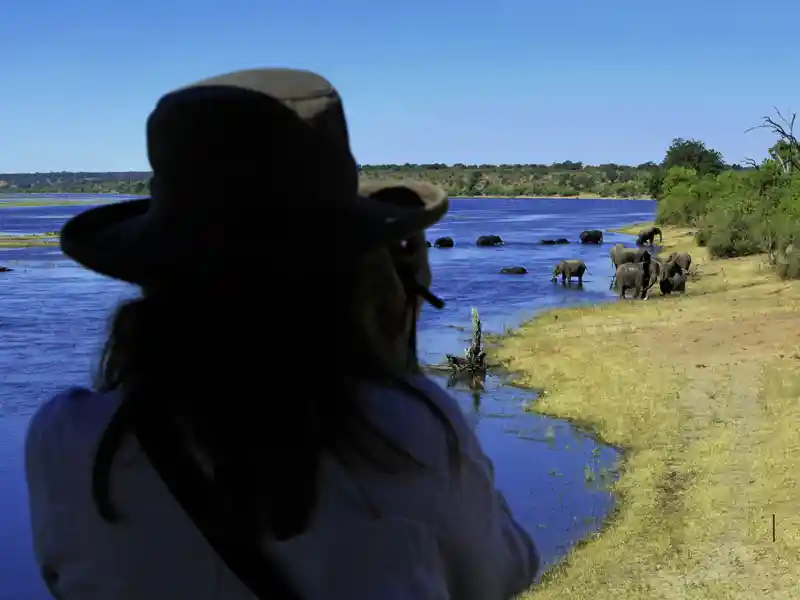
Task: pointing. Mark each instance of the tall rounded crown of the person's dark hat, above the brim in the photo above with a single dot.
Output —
(281, 127)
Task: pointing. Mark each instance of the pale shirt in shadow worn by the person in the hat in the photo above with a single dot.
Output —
(440, 533)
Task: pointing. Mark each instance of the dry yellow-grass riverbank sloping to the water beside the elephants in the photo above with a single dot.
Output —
(702, 393)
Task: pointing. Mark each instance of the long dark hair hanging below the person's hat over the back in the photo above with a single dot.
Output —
(265, 385)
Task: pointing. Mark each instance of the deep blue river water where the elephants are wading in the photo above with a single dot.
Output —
(555, 478)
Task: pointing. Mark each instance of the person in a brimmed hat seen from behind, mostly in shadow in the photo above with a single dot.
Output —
(226, 452)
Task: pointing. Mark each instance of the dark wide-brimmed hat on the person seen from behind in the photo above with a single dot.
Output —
(252, 162)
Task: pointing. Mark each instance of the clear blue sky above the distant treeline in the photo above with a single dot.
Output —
(508, 81)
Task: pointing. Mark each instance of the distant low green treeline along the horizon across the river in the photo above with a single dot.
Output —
(558, 179)
